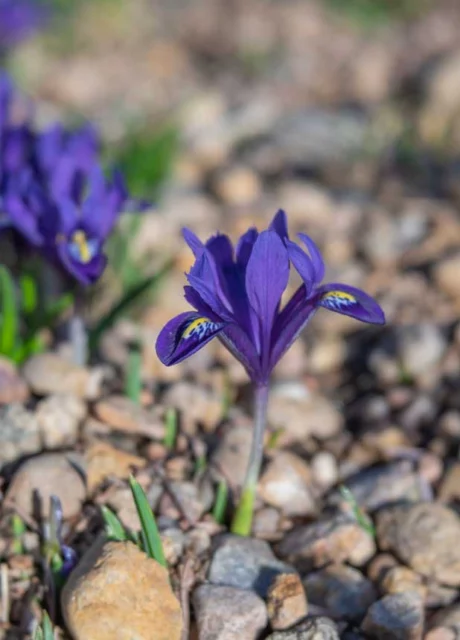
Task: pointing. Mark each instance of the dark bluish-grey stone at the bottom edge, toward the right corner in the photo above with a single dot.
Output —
(395, 617)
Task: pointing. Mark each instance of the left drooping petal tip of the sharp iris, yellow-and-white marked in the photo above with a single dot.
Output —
(184, 335)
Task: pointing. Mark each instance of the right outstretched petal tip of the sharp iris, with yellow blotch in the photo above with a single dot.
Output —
(349, 301)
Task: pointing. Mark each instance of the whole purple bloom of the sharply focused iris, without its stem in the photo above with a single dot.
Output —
(237, 295)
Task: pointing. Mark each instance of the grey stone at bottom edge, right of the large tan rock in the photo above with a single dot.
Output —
(226, 613)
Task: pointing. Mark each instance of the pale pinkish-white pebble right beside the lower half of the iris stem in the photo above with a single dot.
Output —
(286, 485)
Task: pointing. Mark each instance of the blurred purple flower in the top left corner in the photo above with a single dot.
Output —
(19, 19)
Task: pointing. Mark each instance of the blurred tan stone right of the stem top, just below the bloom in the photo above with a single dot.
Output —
(302, 418)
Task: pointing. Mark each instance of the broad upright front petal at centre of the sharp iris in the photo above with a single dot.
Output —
(267, 275)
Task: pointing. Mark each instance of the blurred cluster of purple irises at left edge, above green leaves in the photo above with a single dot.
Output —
(54, 193)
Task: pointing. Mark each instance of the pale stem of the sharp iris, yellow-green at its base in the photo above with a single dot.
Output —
(242, 519)
